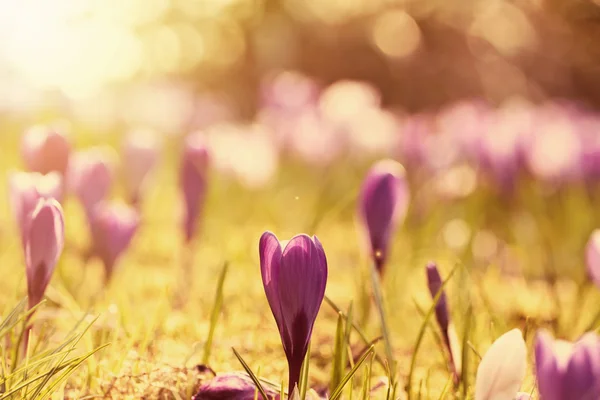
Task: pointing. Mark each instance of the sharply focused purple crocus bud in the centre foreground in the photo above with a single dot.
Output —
(294, 279)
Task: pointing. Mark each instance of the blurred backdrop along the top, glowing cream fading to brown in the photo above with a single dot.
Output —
(181, 64)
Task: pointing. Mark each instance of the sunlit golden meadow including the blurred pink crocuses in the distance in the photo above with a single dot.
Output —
(505, 214)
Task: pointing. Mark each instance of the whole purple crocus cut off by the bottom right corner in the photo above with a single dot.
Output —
(568, 371)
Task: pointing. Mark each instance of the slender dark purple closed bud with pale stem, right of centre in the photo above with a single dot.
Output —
(442, 315)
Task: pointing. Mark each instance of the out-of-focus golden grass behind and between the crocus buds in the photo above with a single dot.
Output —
(533, 280)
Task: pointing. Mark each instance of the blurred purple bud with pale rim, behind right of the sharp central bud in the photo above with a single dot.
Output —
(382, 205)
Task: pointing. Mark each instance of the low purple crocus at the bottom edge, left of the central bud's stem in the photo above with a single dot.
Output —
(232, 386)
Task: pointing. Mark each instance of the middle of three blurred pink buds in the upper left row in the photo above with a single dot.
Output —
(91, 175)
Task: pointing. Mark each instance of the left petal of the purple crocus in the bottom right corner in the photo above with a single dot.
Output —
(548, 372)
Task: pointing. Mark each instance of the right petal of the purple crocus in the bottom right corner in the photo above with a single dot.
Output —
(582, 377)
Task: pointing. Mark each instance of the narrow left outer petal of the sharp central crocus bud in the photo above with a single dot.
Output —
(270, 253)
